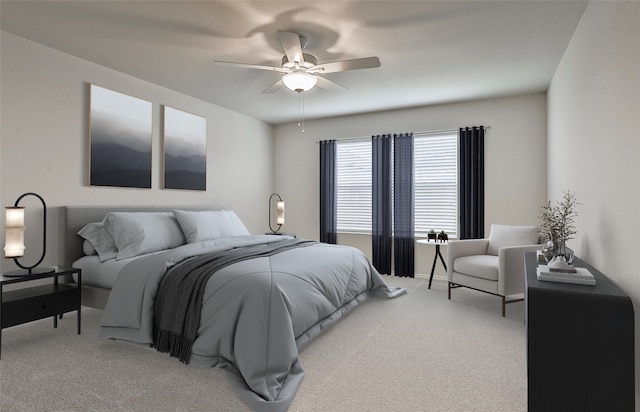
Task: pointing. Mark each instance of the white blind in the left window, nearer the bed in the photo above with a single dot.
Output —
(354, 186)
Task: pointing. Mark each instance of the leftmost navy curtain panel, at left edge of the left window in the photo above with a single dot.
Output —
(328, 192)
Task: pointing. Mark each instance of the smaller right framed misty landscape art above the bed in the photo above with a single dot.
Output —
(185, 150)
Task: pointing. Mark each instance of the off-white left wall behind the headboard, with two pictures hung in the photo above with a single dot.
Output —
(44, 143)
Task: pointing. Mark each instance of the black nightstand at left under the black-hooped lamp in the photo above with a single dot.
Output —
(38, 302)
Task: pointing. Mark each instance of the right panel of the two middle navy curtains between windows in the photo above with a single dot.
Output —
(403, 205)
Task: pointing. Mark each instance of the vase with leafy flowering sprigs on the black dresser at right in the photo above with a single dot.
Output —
(558, 226)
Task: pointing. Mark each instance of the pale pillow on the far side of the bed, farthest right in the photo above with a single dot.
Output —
(198, 226)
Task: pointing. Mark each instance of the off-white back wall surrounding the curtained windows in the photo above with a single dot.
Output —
(515, 159)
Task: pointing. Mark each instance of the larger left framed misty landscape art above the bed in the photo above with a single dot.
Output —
(120, 132)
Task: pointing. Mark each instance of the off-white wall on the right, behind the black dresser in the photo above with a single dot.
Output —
(594, 144)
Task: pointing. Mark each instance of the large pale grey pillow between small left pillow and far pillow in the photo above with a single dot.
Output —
(137, 233)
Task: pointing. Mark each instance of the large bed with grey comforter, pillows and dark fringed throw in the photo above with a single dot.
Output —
(191, 281)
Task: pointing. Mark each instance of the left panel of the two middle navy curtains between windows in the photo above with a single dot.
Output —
(381, 203)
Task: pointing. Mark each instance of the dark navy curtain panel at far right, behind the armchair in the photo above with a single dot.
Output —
(471, 175)
